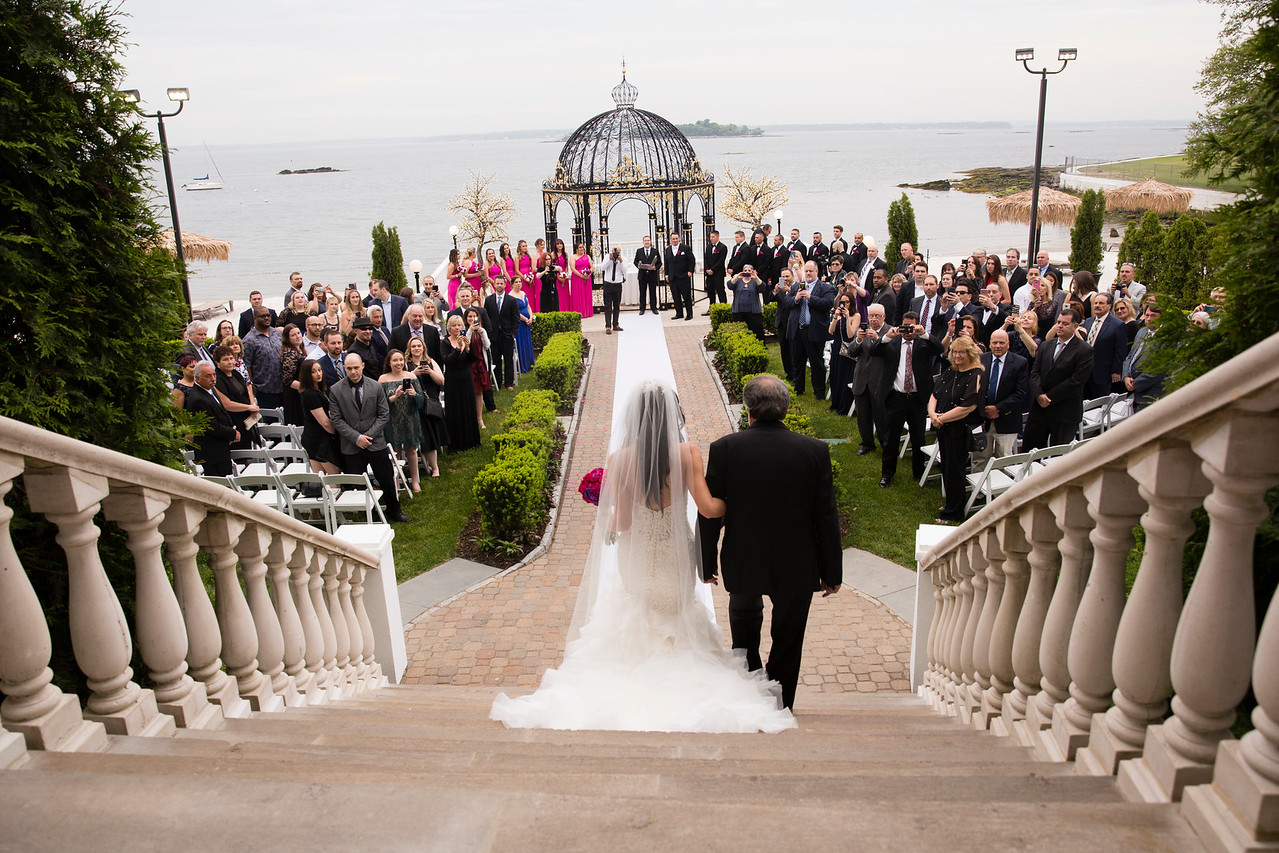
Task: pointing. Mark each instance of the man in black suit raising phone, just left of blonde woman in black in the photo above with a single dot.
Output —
(909, 356)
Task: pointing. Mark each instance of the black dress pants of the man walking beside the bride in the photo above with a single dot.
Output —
(790, 618)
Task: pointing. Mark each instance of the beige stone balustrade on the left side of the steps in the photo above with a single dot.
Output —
(287, 625)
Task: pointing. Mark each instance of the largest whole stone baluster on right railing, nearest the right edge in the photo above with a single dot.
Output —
(1212, 658)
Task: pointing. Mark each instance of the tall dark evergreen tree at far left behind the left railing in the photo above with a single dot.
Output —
(88, 311)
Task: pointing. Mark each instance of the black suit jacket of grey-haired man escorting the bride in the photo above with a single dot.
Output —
(782, 529)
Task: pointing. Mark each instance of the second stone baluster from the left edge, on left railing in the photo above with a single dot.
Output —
(100, 635)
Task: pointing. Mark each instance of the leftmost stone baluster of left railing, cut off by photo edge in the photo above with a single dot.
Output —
(45, 717)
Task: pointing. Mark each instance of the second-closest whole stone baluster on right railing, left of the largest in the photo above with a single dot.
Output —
(1171, 481)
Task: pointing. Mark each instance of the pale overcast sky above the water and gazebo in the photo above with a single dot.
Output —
(292, 71)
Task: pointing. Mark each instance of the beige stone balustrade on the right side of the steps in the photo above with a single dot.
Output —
(1034, 638)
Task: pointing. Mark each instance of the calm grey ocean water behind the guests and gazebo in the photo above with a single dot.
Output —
(322, 224)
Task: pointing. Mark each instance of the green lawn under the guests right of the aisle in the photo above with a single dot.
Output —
(884, 520)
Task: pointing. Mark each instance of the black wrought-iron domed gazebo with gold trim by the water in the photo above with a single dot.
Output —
(627, 154)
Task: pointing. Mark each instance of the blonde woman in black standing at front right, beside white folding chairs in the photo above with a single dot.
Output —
(953, 411)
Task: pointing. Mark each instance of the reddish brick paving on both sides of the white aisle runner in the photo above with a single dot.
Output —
(512, 630)
